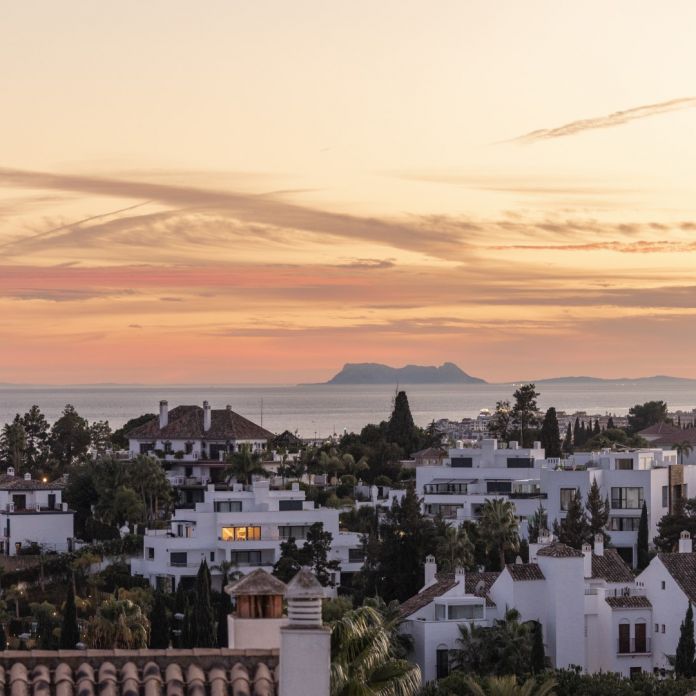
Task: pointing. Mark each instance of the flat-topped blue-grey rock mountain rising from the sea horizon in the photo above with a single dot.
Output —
(374, 373)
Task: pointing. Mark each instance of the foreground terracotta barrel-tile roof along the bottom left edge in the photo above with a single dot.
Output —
(130, 672)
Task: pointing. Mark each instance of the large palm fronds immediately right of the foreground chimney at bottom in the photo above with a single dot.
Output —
(363, 661)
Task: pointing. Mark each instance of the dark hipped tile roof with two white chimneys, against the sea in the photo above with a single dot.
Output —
(186, 422)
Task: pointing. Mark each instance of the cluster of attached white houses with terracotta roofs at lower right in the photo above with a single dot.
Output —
(592, 611)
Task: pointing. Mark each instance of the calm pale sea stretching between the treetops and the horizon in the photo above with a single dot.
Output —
(320, 410)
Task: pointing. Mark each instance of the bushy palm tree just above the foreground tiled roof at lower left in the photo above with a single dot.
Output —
(118, 623)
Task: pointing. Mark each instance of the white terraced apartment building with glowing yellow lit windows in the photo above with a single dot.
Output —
(243, 526)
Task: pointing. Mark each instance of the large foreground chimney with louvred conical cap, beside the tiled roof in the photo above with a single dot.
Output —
(305, 643)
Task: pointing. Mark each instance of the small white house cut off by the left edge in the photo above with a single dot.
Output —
(32, 512)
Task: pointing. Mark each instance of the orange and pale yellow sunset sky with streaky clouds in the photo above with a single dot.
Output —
(259, 192)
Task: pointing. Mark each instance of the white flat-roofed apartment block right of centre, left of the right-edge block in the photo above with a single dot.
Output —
(458, 488)
